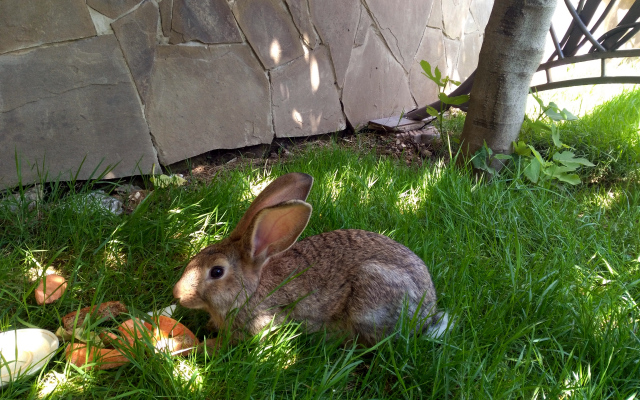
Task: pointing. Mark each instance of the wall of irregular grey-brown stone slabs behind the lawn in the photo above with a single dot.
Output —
(86, 84)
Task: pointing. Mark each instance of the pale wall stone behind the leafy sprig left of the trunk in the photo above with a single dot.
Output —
(432, 50)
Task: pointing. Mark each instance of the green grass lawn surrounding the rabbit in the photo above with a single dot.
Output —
(543, 283)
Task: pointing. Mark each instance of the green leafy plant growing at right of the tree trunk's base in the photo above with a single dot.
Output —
(561, 164)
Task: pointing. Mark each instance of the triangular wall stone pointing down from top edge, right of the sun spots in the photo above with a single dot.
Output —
(336, 22)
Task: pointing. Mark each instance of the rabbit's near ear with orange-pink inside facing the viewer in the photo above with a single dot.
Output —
(276, 228)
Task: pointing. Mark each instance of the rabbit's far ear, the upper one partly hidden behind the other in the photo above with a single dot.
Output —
(292, 186)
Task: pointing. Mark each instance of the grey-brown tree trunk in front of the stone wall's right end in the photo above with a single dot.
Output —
(511, 52)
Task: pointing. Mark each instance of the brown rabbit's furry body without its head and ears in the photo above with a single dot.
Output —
(352, 281)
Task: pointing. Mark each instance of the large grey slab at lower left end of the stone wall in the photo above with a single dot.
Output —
(69, 105)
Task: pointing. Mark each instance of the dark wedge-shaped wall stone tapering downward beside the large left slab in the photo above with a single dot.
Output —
(136, 33)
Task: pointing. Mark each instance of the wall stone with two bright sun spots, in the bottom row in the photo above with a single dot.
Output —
(305, 98)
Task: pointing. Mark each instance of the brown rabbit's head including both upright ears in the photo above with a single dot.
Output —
(224, 275)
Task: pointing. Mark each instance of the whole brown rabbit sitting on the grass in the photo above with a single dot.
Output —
(352, 281)
